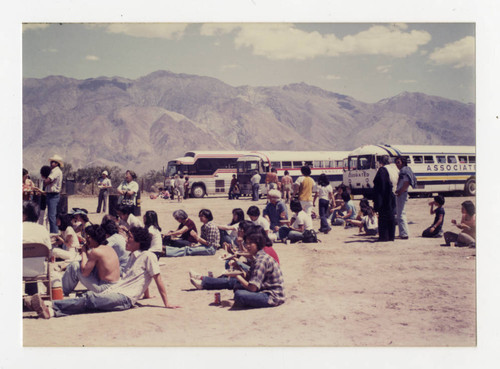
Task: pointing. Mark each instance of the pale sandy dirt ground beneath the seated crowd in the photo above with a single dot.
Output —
(345, 291)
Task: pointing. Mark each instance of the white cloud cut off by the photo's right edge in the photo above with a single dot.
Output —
(459, 54)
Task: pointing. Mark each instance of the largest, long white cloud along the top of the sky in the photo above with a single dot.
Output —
(280, 41)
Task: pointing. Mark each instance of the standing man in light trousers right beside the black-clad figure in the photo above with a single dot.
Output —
(406, 179)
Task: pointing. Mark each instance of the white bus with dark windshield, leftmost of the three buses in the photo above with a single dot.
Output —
(209, 172)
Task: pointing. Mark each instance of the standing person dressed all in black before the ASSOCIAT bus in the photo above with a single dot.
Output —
(384, 201)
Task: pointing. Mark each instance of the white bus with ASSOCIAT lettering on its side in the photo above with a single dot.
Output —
(437, 168)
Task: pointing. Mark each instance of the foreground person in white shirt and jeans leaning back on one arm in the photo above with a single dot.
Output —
(141, 269)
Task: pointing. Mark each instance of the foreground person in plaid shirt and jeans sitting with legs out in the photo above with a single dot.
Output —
(262, 286)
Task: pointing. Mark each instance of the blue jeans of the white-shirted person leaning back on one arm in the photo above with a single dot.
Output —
(91, 302)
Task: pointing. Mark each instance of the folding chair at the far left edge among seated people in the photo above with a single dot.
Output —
(36, 258)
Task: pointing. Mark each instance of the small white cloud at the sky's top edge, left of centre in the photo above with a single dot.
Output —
(168, 31)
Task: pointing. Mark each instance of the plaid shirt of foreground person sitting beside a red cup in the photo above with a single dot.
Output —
(265, 274)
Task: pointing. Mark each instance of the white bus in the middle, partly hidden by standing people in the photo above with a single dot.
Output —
(332, 163)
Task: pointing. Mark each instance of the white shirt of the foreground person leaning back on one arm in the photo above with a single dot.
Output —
(142, 266)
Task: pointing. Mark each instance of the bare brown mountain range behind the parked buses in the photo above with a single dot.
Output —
(141, 124)
